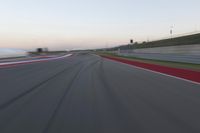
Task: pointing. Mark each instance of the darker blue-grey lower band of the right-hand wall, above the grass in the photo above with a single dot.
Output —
(194, 59)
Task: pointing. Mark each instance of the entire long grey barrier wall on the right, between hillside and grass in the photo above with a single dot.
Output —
(184, 53)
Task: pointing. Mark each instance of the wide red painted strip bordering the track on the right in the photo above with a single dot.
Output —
(181, 73)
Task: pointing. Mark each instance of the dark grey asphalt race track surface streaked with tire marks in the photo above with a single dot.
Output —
(88, 94)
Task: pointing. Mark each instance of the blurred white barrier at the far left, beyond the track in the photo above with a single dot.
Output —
(8, 53)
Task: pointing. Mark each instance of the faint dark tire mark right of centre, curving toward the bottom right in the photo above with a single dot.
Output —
(118, 105)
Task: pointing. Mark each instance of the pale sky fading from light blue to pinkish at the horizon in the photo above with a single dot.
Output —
(82, 24)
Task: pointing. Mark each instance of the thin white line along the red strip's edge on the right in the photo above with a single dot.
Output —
(159, 73)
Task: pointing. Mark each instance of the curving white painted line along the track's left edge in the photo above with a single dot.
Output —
(32, 61)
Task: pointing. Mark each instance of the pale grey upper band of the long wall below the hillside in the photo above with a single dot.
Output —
(183, 49)
